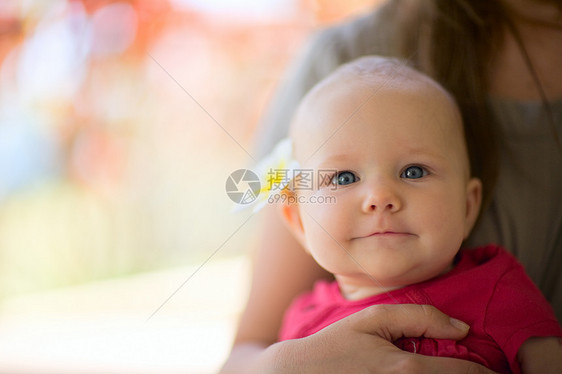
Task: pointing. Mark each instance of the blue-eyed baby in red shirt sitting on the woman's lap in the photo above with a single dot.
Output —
(403, 201)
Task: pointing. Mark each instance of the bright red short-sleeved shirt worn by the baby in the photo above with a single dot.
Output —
(487, 288)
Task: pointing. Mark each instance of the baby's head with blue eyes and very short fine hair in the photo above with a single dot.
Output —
(401, 198)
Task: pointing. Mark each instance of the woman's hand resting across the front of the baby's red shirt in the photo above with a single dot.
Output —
(361, 343)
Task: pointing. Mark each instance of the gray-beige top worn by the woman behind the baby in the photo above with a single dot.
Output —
(526, 212)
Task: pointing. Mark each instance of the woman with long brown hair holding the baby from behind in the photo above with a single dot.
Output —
(501, 60)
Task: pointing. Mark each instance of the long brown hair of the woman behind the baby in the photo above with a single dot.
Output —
(454, 42)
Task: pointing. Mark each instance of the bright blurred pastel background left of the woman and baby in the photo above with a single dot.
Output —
(119, 124)
